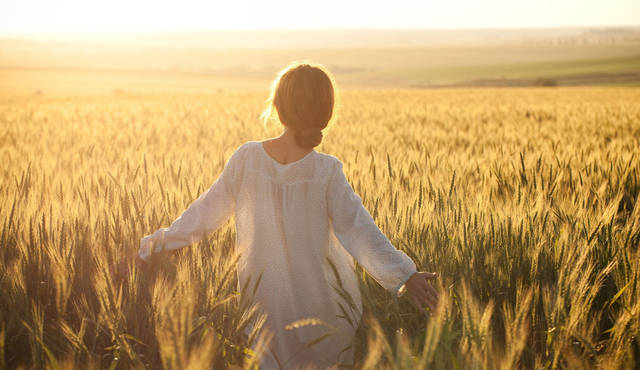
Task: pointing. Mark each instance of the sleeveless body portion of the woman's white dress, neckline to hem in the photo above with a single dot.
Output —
(283, 233)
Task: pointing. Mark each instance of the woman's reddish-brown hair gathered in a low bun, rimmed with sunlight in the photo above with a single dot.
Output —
(304, 96)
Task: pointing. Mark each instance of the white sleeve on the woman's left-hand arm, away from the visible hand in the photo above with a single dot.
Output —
(208, 212)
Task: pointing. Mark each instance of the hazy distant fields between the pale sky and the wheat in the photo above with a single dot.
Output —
(145, 65)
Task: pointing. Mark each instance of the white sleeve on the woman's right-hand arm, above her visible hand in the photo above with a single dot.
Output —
(357, 232)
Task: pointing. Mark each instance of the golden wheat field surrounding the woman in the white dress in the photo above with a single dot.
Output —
(524, 200)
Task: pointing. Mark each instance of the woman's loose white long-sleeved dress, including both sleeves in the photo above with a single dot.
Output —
(290, 220)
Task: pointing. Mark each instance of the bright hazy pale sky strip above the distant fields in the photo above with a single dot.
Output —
(18, 16)
